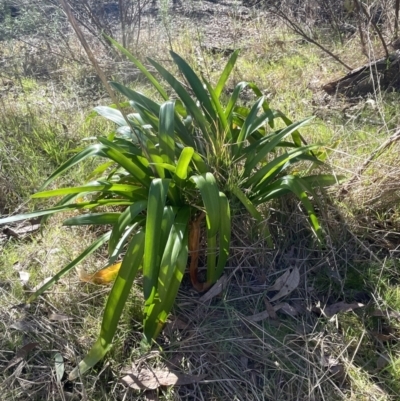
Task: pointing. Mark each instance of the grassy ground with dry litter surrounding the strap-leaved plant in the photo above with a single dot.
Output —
(334, 337)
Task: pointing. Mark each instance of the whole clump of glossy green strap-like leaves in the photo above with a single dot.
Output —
(171, 168)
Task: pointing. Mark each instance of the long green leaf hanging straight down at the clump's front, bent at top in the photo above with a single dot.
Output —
(151, 263)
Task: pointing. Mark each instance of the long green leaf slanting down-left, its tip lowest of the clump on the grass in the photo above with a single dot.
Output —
(115, 304)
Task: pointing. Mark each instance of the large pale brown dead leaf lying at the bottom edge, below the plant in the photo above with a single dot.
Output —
(148, 379)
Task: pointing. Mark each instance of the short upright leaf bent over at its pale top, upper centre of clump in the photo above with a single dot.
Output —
(166, 132)
